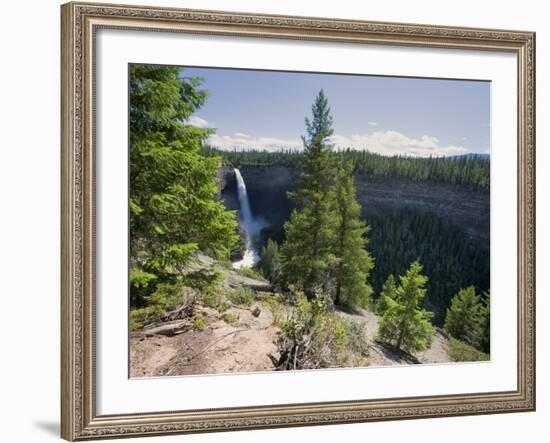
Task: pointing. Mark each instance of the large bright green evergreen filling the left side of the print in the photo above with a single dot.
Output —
(173, 209)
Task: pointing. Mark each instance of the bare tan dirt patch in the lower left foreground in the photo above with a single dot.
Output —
(242, 345)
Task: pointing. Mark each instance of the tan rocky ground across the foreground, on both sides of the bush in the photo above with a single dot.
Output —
(242, 339)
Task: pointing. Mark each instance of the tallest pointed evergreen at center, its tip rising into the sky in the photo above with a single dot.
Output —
(309, 234)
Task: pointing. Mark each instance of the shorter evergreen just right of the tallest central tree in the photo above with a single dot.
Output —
(353, 261)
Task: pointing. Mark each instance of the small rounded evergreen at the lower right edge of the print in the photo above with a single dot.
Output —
(466, 317)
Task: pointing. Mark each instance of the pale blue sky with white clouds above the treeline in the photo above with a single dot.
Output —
(388, 115)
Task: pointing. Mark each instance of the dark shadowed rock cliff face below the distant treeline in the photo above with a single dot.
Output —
(464, 208)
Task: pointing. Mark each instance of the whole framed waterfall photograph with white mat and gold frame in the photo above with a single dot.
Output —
(283, 221)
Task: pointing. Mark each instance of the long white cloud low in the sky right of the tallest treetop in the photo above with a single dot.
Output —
(396, 143)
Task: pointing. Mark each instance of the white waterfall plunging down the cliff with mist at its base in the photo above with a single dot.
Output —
(251, 226)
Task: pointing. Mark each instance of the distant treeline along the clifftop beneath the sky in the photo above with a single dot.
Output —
(472, 171)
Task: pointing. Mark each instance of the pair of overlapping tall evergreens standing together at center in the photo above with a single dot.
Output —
(325, 240)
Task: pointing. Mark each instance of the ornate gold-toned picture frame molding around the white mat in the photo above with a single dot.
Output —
(79, 22)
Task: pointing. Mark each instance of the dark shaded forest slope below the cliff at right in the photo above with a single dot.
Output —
(451, 260)
